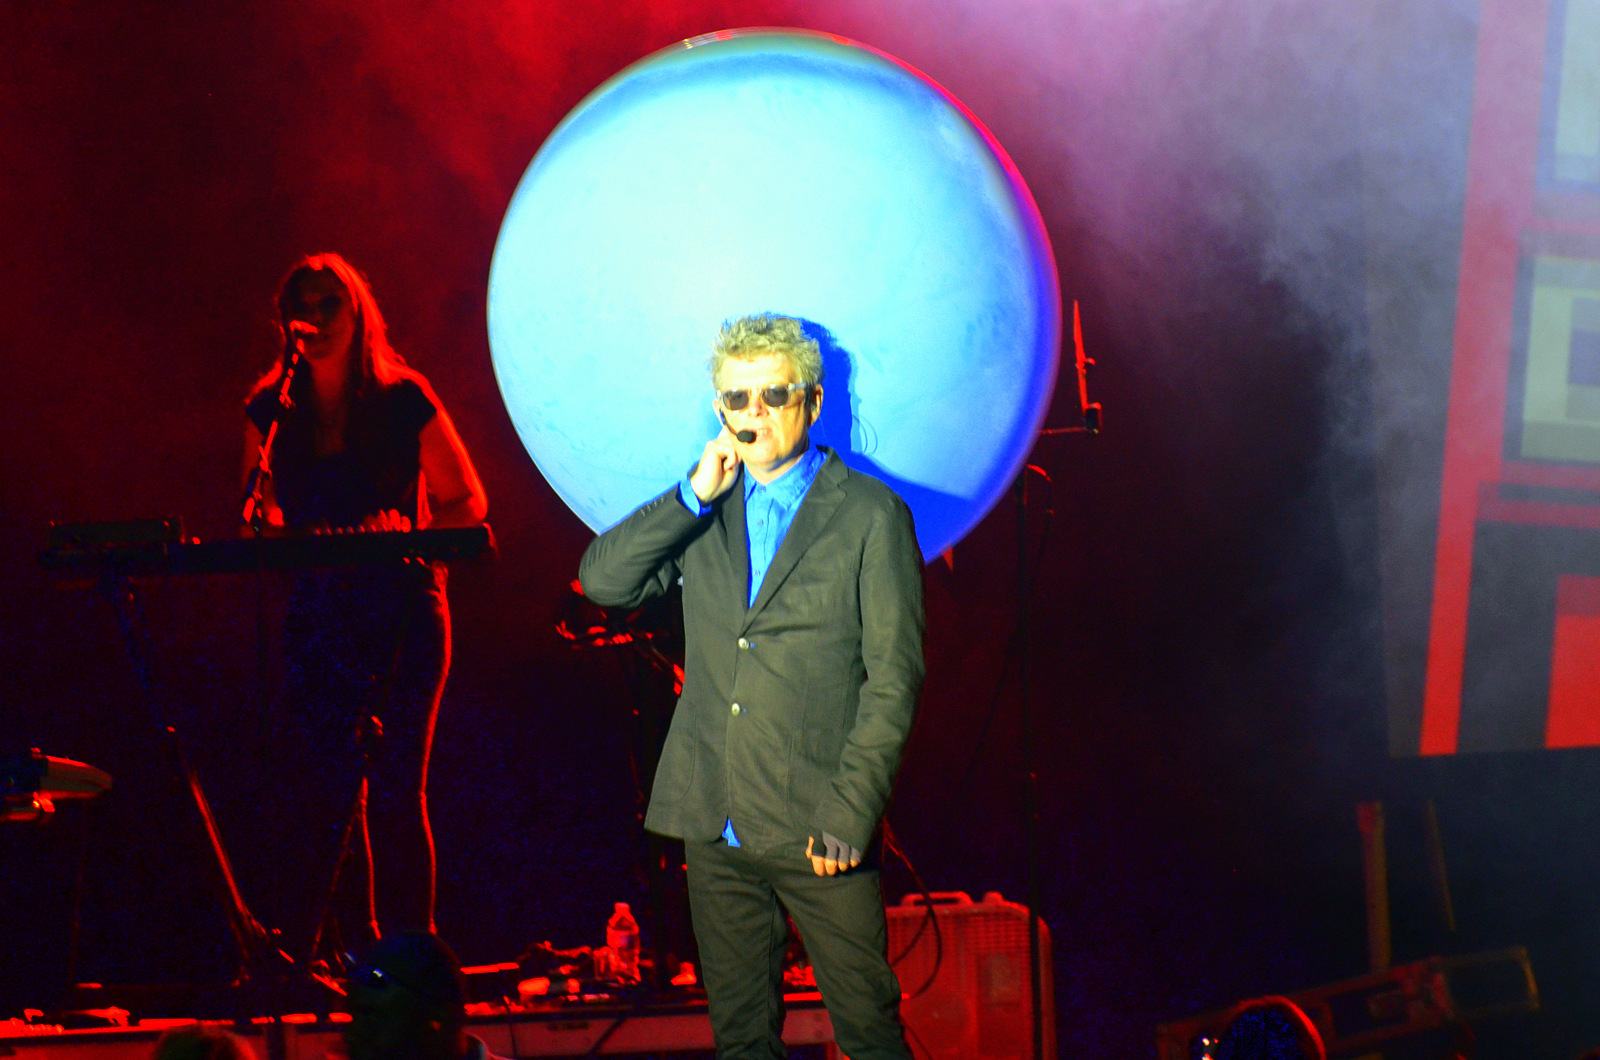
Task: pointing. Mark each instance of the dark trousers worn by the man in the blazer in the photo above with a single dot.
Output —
(738, 905)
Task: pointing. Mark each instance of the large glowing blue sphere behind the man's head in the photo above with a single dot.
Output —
(775, 172)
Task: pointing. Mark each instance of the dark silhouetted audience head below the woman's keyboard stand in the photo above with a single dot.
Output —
(409, 1002)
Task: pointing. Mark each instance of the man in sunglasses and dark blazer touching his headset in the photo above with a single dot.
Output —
(804, 620)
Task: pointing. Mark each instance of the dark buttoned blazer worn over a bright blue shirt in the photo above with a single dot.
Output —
(794, 712)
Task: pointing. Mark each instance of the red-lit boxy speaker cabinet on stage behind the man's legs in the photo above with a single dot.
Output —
(969, 995)
